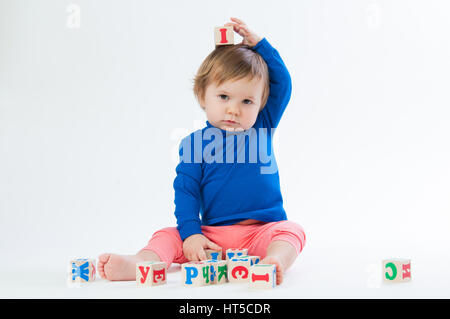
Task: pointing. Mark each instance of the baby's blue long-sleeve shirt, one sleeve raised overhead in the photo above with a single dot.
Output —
(226, 177)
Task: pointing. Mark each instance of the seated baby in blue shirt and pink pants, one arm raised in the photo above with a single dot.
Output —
(225, 197)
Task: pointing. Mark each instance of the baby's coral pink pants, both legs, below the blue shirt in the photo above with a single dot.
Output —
(167, 244)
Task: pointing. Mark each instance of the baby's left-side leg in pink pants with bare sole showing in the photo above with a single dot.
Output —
(165, 245)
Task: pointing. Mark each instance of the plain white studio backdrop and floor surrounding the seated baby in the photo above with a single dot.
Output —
(95, 96)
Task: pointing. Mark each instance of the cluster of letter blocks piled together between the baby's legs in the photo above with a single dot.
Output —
(238, 267)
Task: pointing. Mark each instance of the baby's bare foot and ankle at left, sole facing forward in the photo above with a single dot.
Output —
(122, 267)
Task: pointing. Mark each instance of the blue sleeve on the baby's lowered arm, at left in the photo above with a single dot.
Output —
(187, 192)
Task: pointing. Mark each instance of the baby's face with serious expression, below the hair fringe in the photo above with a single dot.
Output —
(233, 105)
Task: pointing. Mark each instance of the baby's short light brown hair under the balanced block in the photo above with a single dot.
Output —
(231, 62)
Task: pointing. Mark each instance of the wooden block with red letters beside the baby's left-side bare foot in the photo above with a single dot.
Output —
(150, 273)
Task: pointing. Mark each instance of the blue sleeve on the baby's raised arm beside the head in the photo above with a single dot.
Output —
(280, 83)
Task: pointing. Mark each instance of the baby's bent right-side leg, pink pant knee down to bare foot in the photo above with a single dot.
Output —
(282, 242)
